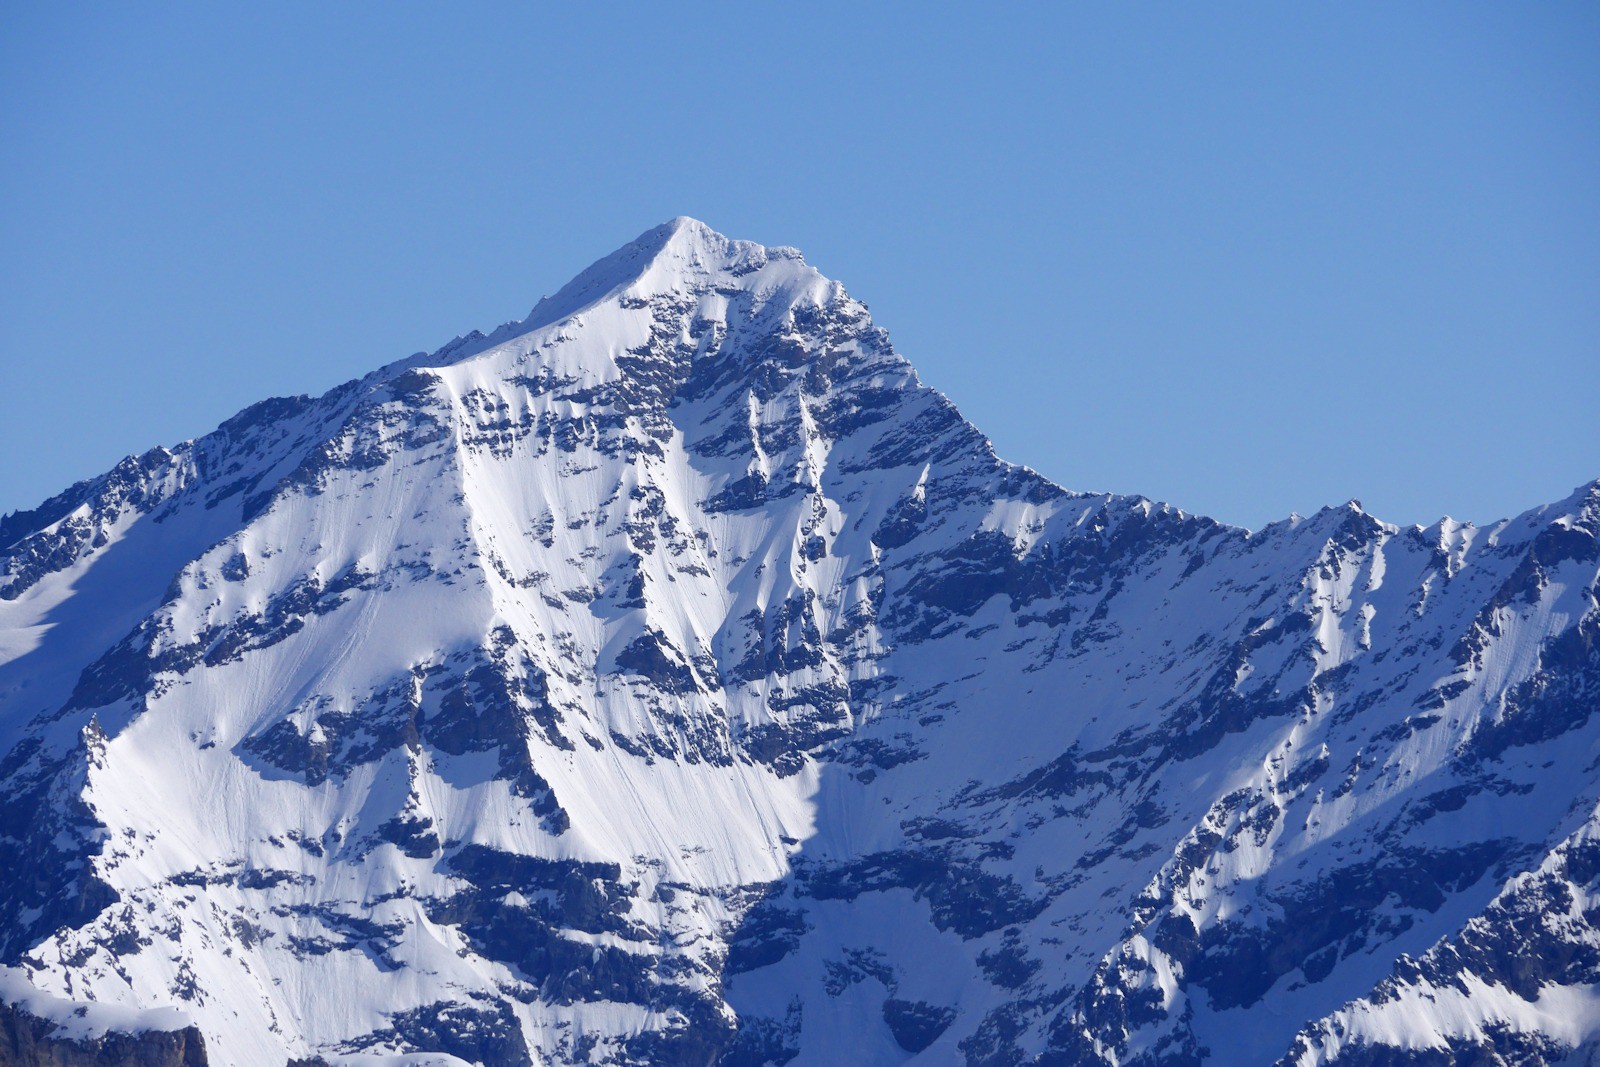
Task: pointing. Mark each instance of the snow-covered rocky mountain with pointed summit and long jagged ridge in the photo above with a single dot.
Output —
(673, 679)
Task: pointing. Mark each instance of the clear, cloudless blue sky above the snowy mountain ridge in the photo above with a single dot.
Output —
(1244, 258)
